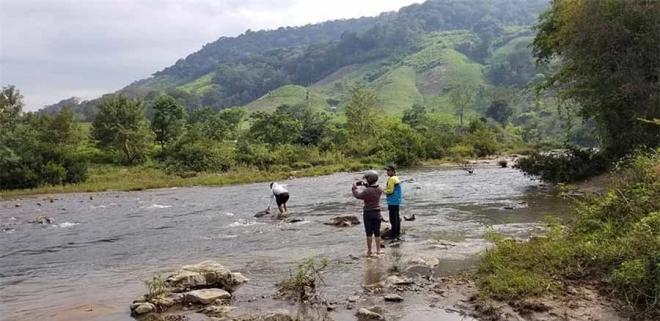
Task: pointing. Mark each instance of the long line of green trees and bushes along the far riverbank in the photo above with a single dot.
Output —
(42, 149)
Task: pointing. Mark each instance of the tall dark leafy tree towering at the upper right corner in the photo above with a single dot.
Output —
(607, 53)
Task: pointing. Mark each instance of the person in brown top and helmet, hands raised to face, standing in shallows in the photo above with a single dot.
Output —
(371, 212)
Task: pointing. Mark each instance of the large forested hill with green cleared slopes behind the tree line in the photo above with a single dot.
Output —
(411, 56)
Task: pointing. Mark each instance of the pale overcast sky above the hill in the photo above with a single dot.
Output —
(55, 49)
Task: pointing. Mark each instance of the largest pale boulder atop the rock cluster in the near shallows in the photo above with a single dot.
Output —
(208, 274)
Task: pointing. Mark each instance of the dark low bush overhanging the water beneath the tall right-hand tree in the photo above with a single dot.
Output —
(572, 164)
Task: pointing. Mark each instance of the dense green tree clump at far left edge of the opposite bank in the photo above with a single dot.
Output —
(37, 149)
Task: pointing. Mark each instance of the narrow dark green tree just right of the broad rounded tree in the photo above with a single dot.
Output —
(169, 119)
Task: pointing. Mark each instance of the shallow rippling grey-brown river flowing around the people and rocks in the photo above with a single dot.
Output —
(92, 262)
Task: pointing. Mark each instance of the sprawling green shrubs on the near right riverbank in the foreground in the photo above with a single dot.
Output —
(615, 238)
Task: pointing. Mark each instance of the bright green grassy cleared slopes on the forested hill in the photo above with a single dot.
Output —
(425, 76)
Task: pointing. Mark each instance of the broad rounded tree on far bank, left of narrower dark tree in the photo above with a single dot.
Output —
(120, 125)
